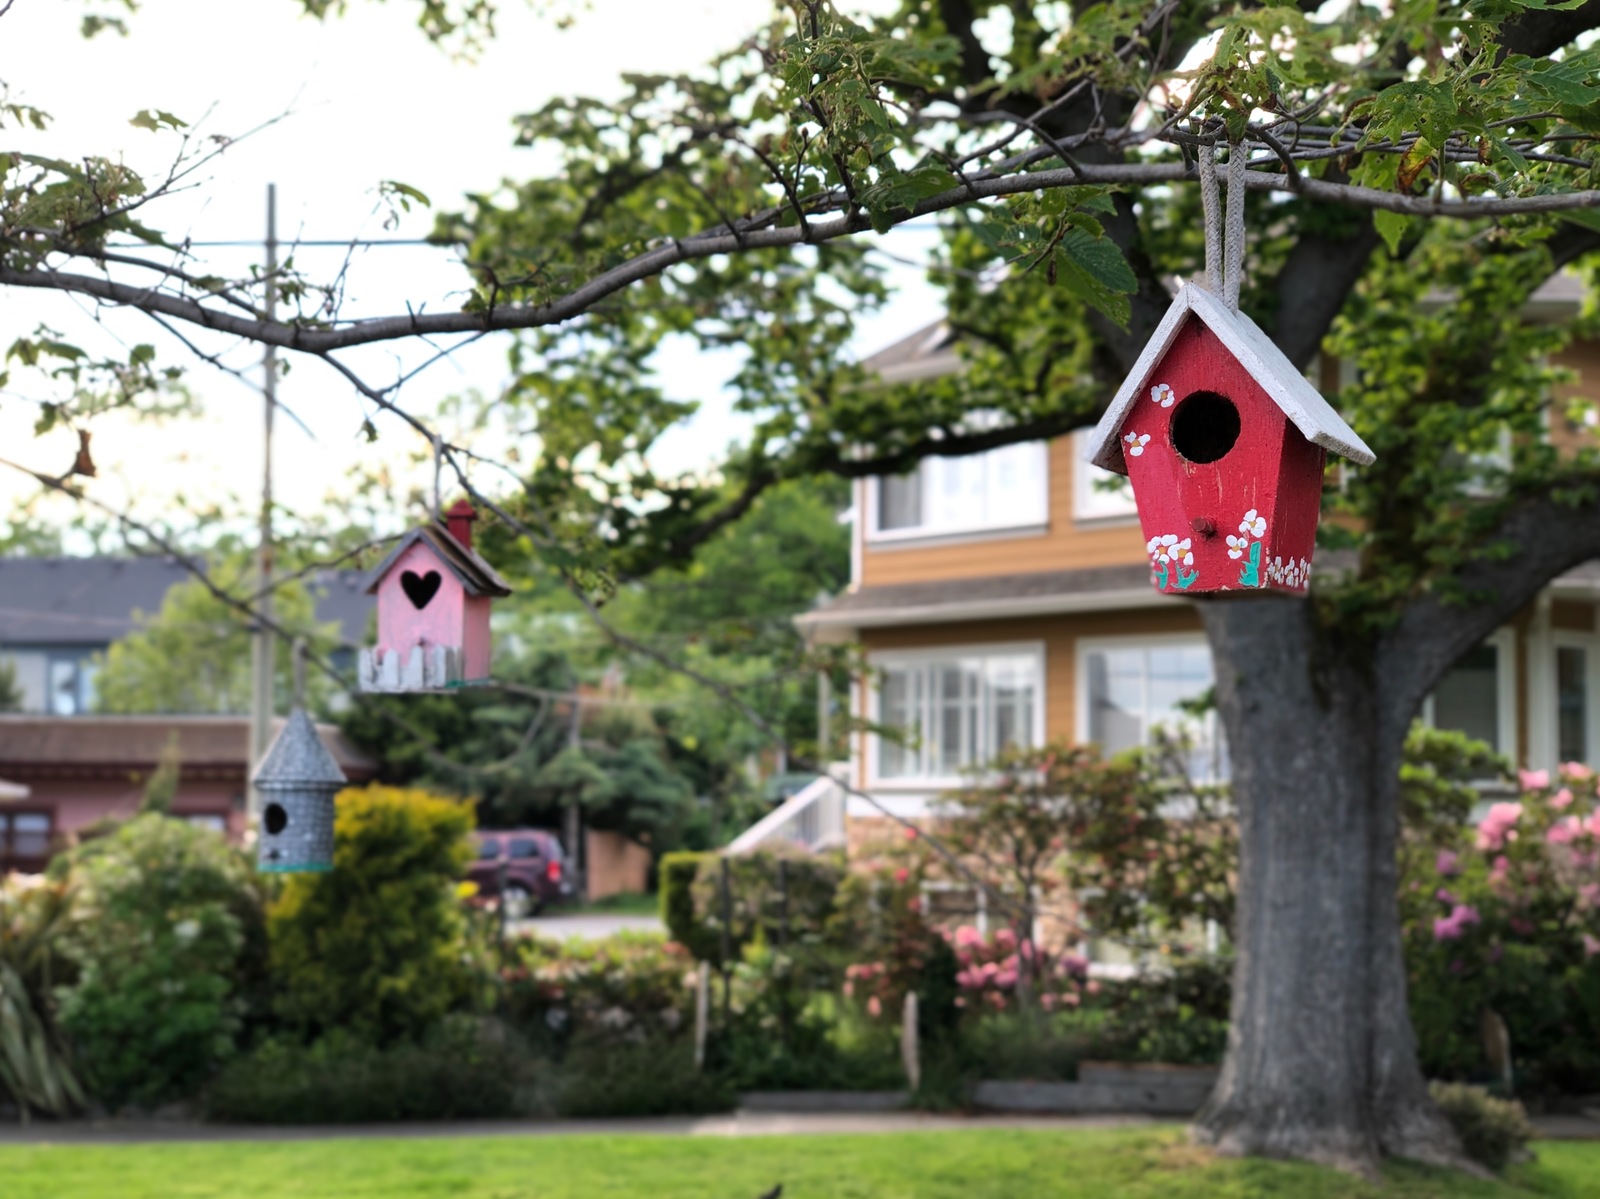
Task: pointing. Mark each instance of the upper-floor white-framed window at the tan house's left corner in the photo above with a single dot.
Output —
(1001, 489)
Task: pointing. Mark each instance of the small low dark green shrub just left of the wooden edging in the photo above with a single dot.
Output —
(644, 1078)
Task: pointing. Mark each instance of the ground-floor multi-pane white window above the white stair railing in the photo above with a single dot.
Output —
(956, 710)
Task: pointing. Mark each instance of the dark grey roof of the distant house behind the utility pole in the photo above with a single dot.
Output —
(94, 601)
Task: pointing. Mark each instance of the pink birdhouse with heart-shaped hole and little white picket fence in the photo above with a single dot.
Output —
(434, 598)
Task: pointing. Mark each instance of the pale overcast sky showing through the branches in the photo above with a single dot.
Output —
(370, 100)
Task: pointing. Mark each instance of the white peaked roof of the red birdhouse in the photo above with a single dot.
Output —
(1292, 391)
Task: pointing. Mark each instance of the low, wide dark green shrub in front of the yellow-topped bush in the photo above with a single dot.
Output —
(460, 1072)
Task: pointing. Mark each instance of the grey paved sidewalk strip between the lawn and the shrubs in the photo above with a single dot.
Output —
(734, 1125)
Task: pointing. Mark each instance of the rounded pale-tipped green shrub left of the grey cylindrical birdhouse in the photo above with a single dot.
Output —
(162, 926)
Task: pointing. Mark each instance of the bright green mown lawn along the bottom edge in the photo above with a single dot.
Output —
(966, 1165)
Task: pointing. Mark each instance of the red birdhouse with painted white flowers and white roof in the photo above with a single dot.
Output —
(1223, 443)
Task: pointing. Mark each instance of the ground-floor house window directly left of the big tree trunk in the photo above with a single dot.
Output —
(1132, 689)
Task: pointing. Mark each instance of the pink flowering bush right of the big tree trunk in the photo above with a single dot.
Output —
(1505, 916)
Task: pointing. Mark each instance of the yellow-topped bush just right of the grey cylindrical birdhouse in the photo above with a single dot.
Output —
(377, 945)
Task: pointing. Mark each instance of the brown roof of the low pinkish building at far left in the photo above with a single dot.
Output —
(214, 747)
